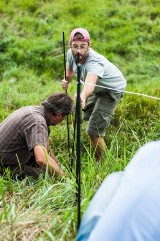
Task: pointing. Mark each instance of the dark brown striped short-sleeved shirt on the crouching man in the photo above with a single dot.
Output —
(21, 132)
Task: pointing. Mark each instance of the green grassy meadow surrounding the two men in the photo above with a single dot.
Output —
(127, 32)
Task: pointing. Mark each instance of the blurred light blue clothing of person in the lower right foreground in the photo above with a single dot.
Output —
(132, 214)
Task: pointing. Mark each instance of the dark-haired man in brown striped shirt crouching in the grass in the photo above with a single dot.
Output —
(24, 137)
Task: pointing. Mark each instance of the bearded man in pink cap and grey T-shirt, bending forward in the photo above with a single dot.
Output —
(98, 102)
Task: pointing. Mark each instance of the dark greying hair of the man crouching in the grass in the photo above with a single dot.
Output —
(59, 102)
